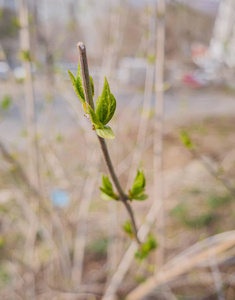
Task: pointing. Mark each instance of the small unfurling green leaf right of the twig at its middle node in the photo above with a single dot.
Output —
(138, 188)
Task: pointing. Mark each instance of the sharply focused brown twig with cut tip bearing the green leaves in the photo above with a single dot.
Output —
(89, 99)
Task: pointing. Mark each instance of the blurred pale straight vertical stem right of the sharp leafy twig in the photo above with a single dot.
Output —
(159, 129)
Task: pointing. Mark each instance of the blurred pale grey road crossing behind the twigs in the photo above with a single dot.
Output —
(58, 116)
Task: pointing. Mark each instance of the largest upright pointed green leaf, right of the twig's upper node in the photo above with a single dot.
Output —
(105, 105)
